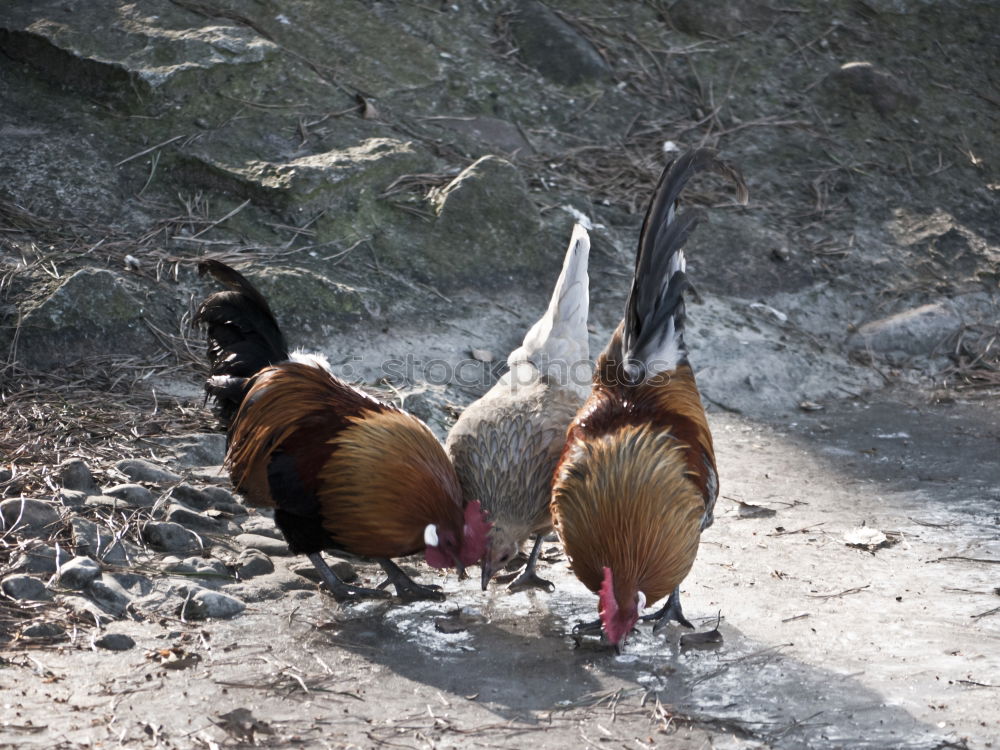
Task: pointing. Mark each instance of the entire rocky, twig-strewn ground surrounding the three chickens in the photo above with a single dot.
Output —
(400, 178)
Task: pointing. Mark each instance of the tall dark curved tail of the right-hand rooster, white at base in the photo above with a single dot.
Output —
(653, 331)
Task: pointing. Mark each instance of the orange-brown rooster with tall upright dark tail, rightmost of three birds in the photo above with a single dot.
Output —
(637, 483)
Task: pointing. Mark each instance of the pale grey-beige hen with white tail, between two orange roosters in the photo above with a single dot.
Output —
(505, 445)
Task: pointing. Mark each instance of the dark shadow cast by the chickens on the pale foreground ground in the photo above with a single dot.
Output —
(524, 668)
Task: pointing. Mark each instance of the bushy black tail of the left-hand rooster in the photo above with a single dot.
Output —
(243, 338)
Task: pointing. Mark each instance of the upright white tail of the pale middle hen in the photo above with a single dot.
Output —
(559, 338)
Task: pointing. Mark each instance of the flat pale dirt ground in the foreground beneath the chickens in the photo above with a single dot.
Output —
(825, 645)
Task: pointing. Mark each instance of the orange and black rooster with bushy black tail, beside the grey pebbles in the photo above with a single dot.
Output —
(342, 470)
